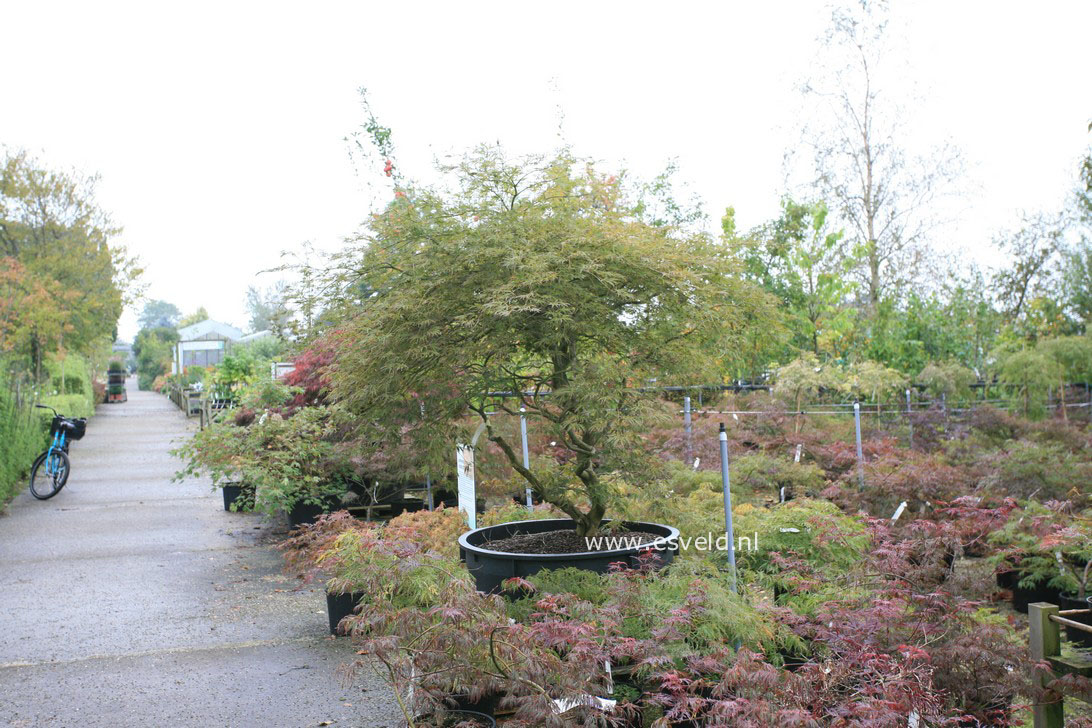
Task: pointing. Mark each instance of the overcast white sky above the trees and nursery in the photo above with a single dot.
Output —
(219, 128)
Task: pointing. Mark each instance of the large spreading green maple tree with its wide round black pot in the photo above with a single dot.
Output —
(567, 294)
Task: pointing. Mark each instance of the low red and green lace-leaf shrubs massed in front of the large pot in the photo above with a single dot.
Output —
(681, 645)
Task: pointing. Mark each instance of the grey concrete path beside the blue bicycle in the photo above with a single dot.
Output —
(130, 601)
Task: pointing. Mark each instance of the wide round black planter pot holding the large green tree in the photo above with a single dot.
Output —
(491, 569)
